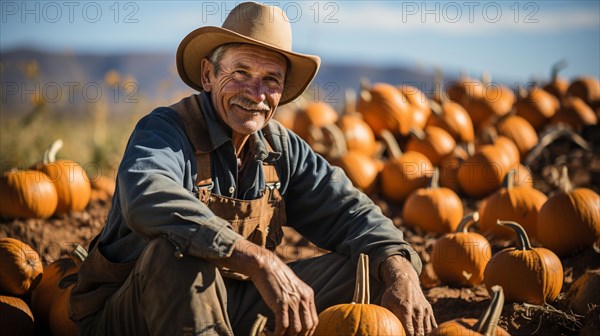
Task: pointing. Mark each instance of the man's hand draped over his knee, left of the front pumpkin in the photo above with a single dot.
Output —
(289, 298)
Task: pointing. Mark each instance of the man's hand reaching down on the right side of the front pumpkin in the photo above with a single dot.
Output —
(404, 298)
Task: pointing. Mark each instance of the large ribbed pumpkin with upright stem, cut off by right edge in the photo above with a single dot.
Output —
(570, 218)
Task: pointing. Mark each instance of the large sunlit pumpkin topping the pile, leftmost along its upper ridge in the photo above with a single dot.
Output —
(385, 108)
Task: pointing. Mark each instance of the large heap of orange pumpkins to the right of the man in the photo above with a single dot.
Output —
(474, 141)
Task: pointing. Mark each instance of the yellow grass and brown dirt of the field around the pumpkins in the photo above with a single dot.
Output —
(96, 134)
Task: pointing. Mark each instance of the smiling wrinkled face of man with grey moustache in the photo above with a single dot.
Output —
(247, 88)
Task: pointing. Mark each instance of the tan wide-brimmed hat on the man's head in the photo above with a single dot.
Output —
(252, 23)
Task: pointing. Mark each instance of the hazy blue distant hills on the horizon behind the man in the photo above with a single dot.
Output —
(154, 75)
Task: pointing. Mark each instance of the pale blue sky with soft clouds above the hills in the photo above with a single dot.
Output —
(510, 39)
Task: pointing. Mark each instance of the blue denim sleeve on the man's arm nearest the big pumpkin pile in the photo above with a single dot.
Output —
(323, 206)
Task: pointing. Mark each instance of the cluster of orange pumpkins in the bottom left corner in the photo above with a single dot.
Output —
(34, 297)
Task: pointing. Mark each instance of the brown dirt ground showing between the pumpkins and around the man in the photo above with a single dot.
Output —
(53, 237)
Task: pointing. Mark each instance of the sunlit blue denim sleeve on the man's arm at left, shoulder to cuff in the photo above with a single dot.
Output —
(152, 197)
